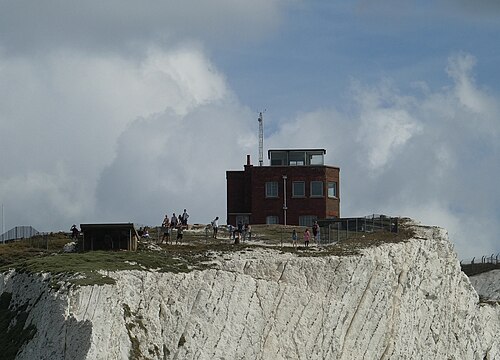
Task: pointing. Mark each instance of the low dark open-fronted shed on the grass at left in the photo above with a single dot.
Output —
(114, 236)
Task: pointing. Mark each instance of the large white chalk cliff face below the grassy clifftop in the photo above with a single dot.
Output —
(405, 300)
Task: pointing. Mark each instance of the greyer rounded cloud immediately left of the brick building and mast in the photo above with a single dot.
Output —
(180, 164)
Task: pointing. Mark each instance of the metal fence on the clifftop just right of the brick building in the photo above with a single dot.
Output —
(338, 229)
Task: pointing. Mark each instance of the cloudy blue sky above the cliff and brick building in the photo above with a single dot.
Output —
(123, 111)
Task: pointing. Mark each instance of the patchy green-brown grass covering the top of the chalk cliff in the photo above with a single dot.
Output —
(45, 254)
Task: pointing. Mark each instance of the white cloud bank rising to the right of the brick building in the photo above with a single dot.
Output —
(434, 155)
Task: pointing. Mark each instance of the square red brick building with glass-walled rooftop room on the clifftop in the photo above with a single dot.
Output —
(295, 189)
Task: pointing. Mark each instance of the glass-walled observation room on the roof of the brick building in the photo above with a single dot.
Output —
(299, 157)
